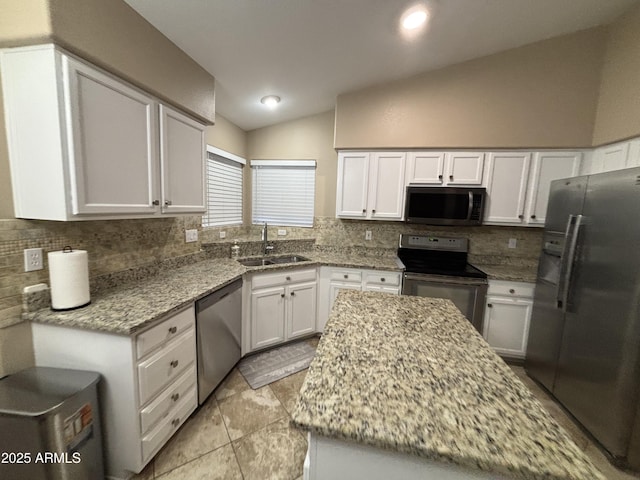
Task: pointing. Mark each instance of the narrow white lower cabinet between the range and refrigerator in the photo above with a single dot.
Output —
(507, 317)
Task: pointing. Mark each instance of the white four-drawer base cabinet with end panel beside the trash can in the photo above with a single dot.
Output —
(148, 387)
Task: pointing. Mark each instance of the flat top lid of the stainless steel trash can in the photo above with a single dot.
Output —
(40, 390)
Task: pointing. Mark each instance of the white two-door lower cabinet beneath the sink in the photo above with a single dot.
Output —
(282, 306)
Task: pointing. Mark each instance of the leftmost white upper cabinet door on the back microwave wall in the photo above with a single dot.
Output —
(353, 181)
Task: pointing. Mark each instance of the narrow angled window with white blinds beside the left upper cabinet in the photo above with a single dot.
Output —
(224, 188)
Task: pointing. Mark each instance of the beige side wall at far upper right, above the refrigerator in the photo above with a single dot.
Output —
(618, 115)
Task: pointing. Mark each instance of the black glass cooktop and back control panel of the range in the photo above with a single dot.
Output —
(431, 255)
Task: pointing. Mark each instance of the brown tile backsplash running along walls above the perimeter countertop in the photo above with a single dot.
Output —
(123, 250)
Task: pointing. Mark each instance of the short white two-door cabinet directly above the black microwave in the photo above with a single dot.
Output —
(445, 168)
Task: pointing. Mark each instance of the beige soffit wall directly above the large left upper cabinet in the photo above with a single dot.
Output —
(114, 36)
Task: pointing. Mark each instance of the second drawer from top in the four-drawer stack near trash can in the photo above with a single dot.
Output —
(166, 365)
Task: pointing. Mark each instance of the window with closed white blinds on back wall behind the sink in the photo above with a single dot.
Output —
(284, 192)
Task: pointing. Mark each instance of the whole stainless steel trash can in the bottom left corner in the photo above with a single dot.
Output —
(50, 425)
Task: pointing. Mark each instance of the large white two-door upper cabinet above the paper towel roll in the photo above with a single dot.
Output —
(98, 143)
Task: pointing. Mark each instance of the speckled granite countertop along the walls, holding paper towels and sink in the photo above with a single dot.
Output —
(134, 306)
